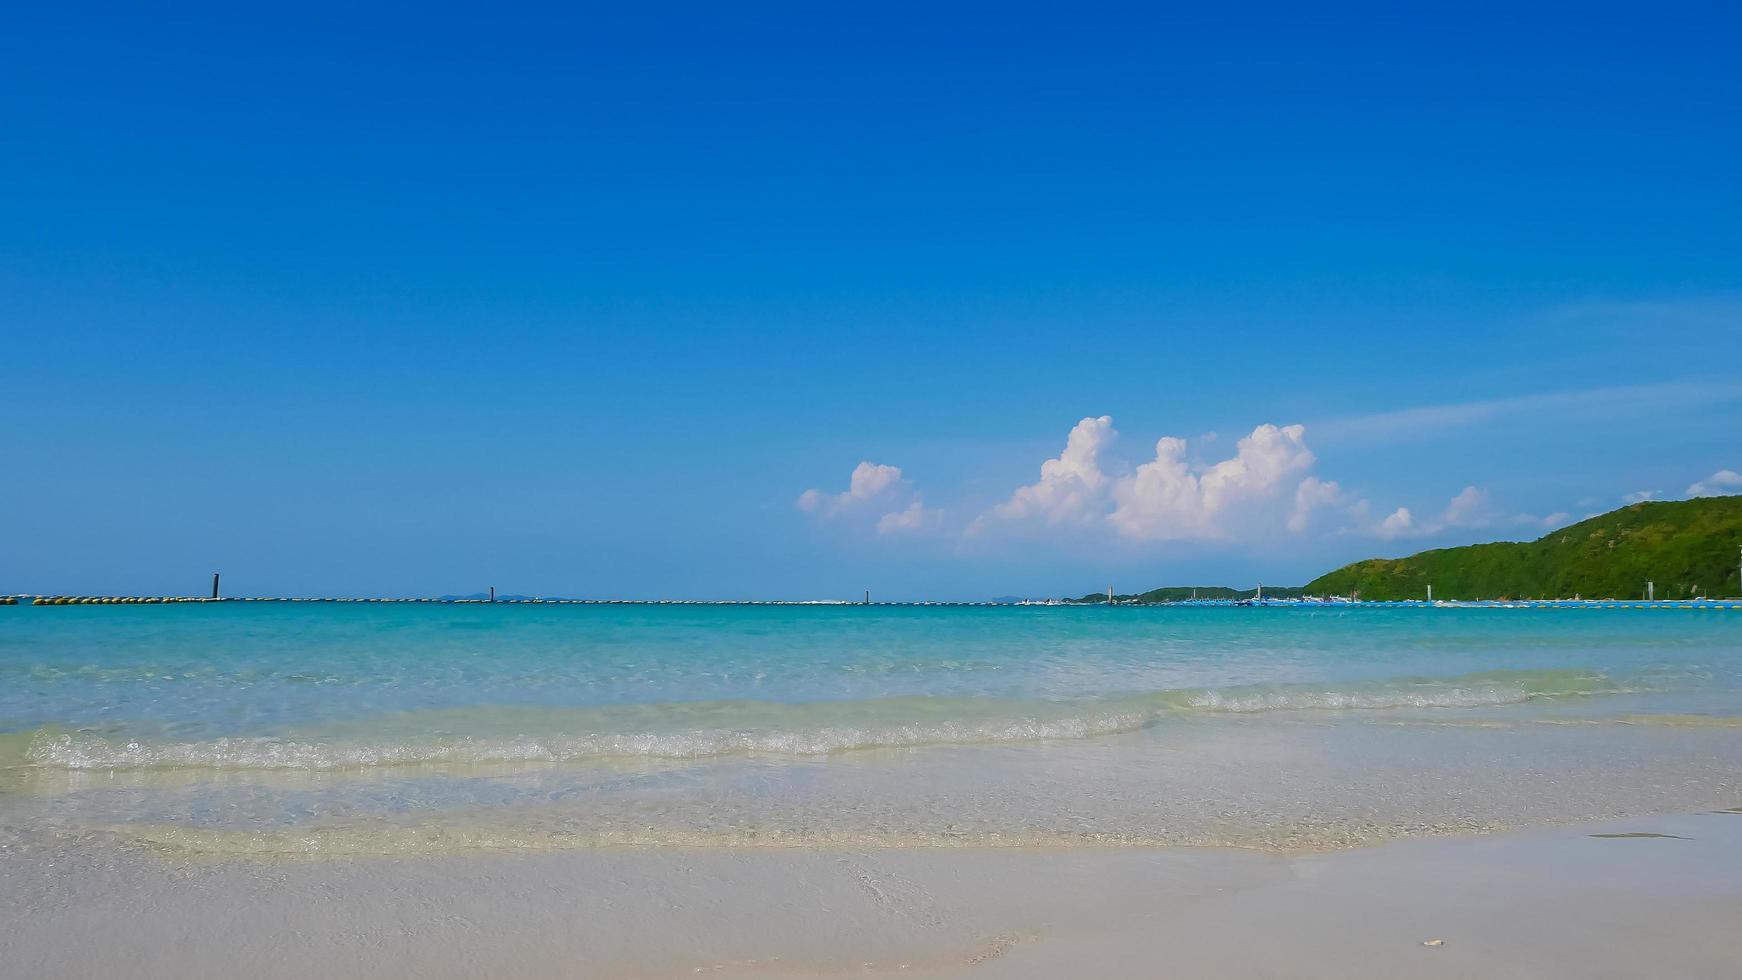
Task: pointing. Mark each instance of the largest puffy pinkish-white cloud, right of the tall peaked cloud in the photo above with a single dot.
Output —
(1168, 499)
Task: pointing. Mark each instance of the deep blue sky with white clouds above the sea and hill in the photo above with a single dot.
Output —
(572, 300)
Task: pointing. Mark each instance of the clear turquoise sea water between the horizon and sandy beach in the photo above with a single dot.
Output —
(419, 728)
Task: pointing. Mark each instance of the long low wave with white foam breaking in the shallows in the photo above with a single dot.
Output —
(698, 730)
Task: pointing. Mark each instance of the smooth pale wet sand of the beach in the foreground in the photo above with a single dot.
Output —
(1645, 897)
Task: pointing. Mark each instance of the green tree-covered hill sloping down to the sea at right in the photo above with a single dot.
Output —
(1687, 547)
